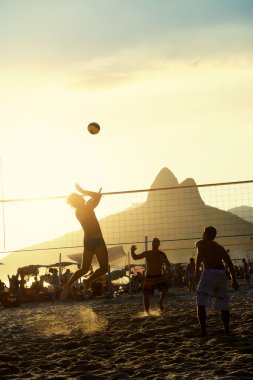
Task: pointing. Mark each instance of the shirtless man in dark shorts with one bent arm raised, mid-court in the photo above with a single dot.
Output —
(154, 273)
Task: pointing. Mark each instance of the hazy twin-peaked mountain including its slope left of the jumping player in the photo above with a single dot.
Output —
(174, 212)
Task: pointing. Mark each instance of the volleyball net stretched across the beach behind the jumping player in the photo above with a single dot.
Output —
(176, 215)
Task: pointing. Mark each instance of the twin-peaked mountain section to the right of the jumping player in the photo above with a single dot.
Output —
(177, 215)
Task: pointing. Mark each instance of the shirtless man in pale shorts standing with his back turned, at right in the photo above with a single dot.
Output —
(213, 281)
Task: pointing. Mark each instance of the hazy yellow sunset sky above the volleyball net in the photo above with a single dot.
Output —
(169, 81)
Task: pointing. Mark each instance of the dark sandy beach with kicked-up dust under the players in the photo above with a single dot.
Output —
(113, 339)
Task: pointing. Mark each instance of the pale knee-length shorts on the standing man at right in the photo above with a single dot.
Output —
(213, 285)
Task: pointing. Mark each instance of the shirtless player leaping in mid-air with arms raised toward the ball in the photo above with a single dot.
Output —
(93, 239)
